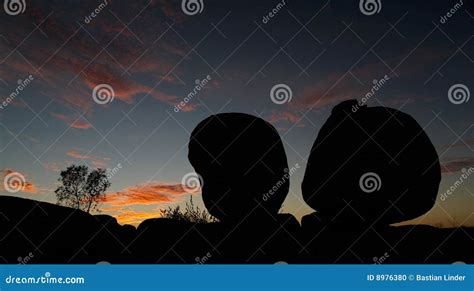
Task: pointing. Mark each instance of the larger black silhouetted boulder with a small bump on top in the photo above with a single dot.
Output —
(371, 165)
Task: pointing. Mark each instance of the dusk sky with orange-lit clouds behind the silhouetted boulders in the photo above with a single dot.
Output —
(153, 54)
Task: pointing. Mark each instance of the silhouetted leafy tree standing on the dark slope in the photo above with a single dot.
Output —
(82, 189)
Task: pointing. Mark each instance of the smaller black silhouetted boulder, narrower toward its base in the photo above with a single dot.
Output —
(239, 157)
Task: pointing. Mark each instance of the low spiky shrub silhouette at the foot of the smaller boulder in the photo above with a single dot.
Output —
(191, 213)
